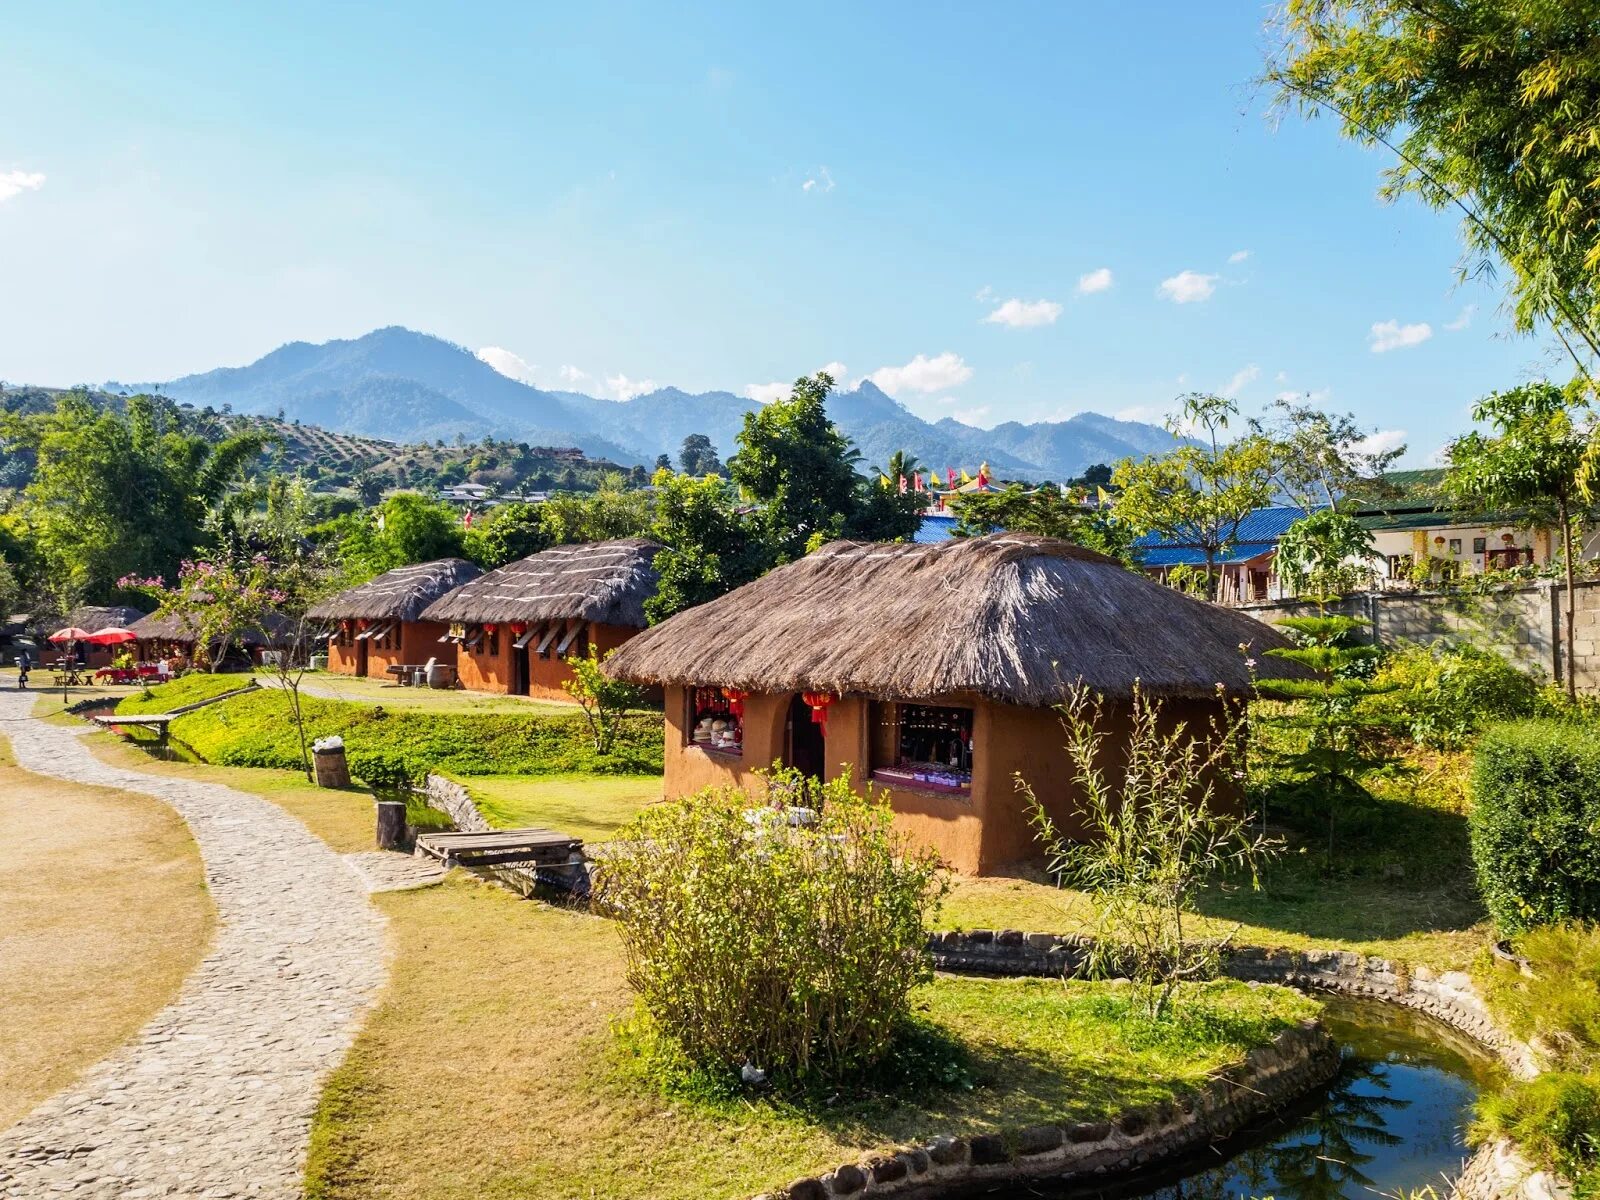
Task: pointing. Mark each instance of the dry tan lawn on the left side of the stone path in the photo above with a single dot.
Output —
(103, 914)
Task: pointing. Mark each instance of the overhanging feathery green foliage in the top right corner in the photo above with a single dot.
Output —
(1492, 108)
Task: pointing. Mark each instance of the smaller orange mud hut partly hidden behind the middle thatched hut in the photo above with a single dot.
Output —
(380, 623)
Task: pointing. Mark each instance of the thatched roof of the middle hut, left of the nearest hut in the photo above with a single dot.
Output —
(604, 583)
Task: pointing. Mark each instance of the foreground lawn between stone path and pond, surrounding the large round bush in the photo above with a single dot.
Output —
(490, 1070)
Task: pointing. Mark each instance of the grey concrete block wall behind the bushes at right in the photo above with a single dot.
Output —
(1526, 625)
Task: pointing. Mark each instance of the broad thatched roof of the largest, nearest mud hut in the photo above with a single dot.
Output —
(1009, 617)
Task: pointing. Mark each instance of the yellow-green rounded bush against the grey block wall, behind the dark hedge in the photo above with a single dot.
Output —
(1444, 697)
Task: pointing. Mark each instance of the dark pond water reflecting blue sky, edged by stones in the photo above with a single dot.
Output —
(1394, 1121)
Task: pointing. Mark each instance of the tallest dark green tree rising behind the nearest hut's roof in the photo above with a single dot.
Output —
(798, 466)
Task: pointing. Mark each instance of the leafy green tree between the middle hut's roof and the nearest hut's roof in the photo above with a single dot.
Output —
(713, 545)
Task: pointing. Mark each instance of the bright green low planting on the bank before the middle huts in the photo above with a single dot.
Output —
(255, 730)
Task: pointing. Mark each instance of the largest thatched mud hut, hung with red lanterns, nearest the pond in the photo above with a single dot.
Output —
(934, 671)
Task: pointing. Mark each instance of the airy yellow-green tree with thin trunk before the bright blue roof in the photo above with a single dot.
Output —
(1201, 492)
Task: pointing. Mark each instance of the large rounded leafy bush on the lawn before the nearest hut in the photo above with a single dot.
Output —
(750, 940)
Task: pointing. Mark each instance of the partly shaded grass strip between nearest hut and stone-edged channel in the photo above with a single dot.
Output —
(1402, 884)
